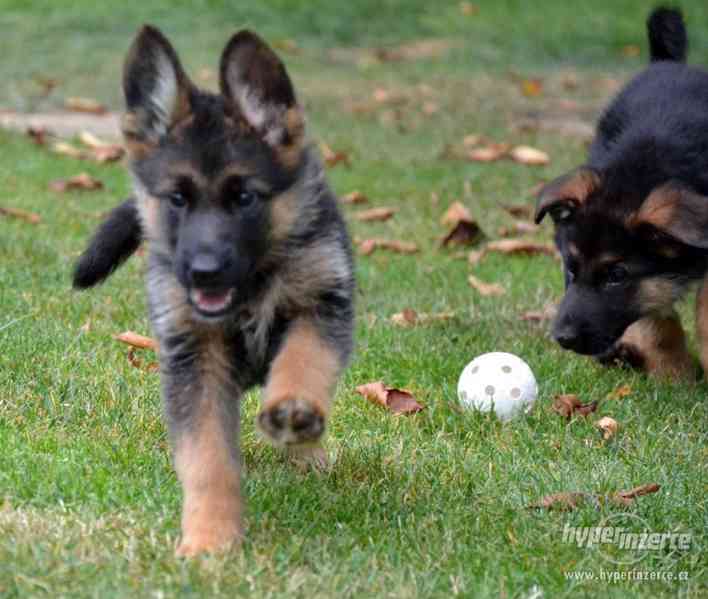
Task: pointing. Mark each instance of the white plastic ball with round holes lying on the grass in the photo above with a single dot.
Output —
(498, 381)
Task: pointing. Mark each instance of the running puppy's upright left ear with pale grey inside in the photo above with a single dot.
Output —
(157, 91)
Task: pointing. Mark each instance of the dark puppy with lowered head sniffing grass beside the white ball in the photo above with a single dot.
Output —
(632, 222)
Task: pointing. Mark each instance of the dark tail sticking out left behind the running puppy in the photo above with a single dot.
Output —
(114, 242)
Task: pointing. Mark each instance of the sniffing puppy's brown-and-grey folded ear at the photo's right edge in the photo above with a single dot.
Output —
(676, 212)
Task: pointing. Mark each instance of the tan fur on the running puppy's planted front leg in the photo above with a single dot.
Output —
(207, 464)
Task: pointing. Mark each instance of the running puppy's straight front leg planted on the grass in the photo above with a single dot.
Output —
(202, 407)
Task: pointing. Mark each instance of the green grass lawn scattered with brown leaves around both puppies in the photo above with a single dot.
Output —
(431, 505)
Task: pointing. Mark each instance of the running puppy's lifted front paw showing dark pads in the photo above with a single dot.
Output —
(292, 421)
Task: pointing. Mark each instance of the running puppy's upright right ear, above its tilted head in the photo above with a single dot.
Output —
(256, 85)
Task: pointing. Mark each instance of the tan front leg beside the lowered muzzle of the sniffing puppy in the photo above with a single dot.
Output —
(656, 344)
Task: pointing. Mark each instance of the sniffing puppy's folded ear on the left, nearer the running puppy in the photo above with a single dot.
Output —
(564, 195)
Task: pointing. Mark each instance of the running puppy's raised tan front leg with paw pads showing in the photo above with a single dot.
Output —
(297, 395)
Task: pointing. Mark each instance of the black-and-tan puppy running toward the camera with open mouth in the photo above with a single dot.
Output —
(250, 275)
